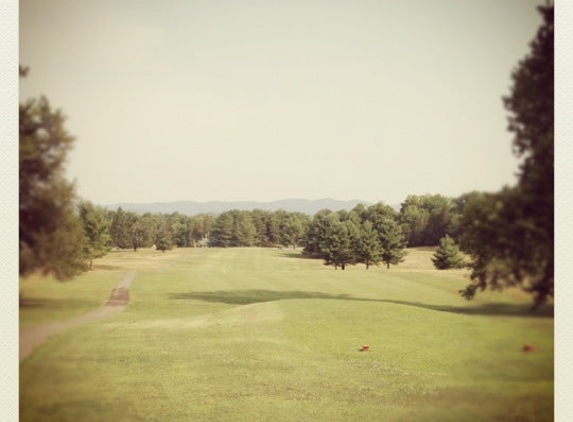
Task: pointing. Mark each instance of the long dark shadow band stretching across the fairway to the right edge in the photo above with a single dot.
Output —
(246, 297)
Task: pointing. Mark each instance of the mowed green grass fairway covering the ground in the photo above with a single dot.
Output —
(264, 335)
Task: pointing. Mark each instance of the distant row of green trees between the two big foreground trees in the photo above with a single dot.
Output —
(366, 234)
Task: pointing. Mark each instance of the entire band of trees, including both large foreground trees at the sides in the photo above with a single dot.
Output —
(508, 235)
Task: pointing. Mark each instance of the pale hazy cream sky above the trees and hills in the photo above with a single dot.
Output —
(264, 100)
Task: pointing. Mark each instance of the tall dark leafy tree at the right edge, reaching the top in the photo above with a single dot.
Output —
(510, 235)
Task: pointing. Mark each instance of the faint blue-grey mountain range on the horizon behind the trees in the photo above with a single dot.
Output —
(306, 206)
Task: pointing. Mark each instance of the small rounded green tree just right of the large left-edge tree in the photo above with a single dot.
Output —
(96, 225)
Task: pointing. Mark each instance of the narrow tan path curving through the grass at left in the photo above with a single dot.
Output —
(31, 337)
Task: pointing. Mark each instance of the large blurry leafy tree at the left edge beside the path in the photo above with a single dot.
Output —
(50, 233)
